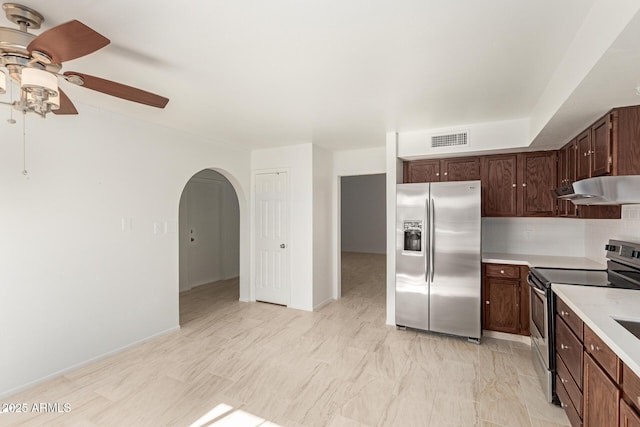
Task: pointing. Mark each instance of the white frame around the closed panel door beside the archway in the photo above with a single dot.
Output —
(252, 258)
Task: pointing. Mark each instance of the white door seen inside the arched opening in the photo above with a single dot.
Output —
(204, 234)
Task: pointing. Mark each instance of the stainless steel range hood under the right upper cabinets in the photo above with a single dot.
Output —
(602, 190)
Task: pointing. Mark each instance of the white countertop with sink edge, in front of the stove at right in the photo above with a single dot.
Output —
(595, 306)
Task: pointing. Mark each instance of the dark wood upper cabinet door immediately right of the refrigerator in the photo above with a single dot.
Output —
(499, 196)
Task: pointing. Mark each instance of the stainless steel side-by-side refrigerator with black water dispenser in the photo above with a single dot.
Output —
(438, 257)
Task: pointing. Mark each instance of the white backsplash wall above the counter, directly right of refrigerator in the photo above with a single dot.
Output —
(534, 236)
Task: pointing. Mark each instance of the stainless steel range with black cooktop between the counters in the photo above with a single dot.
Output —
(623, 271)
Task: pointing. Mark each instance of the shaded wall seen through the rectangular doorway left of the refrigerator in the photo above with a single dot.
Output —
(363, 201)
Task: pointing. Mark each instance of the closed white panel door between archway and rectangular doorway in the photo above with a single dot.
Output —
(272, 238)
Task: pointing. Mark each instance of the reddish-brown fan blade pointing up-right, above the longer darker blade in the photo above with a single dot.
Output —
(68, 41)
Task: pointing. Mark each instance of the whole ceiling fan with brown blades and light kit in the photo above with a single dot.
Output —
(34, 62)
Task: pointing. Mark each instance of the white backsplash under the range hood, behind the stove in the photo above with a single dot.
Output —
(599, 231)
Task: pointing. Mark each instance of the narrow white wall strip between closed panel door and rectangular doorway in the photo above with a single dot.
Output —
(322, 238)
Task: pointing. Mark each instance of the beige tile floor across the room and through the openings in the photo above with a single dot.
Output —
(250, 364)
